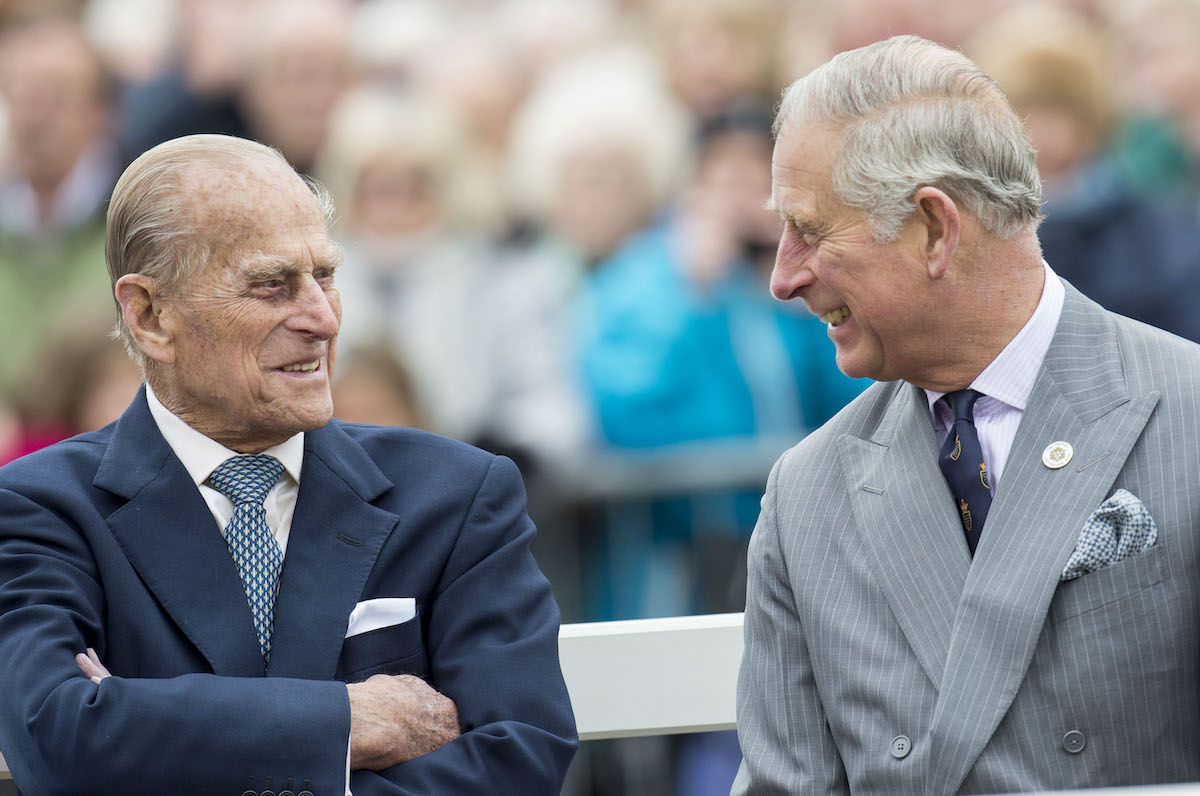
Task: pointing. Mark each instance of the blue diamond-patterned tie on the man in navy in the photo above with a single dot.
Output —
(247, 481)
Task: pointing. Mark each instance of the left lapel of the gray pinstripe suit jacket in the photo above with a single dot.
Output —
(913, 535)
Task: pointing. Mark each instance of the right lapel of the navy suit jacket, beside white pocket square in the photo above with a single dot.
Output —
(337, 537)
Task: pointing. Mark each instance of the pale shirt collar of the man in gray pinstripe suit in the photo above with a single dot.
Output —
(1010, 379)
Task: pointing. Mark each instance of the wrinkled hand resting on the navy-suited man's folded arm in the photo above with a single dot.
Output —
(397, 719)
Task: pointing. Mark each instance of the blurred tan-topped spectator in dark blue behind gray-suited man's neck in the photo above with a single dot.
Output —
(1136, 256)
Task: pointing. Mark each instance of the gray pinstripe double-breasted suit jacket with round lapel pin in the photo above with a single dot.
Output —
(867, 620)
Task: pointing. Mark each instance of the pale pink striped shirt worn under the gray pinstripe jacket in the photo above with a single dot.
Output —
(1007, 382)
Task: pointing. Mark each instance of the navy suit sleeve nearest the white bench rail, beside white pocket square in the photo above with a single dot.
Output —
(494, 650)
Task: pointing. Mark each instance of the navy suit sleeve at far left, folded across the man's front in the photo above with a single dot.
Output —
(196, 734)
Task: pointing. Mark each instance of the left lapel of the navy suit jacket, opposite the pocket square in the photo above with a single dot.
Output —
(172, 541)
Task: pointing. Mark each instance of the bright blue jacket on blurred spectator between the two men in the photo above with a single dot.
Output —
(664, 361)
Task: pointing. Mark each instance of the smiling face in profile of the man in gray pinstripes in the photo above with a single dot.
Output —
(878, 300)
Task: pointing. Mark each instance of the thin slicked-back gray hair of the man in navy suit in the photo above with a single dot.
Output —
(153, 228)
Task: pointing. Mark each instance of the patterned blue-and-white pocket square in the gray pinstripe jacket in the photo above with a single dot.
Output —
(1121, 528)
